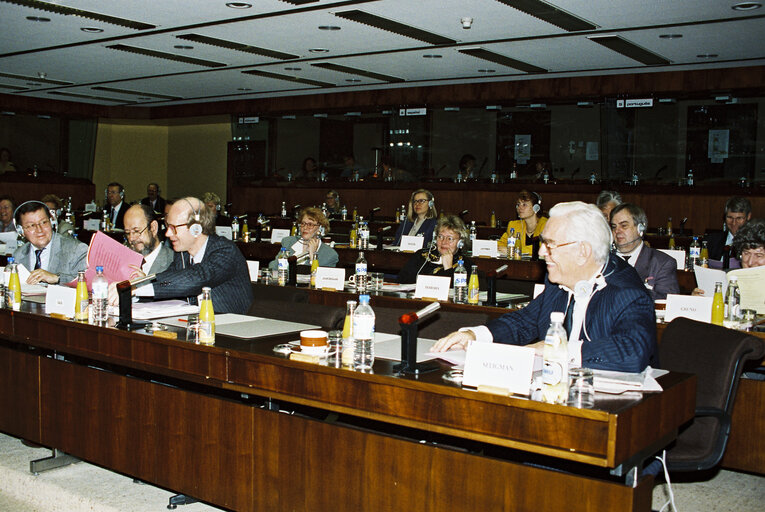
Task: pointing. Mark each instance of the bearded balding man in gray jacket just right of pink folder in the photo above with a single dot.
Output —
(141, 229)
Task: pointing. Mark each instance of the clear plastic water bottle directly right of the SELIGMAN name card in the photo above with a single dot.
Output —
(555, 370)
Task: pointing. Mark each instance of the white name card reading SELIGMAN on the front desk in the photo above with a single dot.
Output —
(499, 366)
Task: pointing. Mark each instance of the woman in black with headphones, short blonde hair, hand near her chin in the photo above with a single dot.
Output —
(439, 258)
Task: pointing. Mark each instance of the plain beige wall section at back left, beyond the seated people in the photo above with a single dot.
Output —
(186, 157)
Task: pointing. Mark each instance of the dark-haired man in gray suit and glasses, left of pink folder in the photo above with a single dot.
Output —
(52, 258)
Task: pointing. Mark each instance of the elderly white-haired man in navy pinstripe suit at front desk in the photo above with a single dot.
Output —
(609, 315)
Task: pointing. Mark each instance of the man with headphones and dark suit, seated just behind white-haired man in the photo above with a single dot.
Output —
(657, 270)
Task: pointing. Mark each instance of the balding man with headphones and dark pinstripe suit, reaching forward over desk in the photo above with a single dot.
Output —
(202, 258)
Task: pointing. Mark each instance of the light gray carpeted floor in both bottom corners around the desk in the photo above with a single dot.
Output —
(84, 487)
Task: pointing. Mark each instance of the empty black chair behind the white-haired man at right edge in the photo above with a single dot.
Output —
(717, 356)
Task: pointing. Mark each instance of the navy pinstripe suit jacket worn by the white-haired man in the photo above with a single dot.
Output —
(619, 330)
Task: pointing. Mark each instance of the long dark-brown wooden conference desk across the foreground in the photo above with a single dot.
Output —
(204, 421)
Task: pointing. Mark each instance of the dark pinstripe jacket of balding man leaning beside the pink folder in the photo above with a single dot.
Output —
(223, 269)
